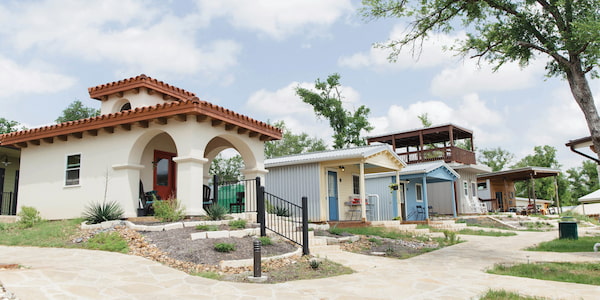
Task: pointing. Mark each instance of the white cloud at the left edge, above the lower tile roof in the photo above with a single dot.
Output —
(19, 79)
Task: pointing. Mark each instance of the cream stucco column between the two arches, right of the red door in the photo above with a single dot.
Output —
(190, 178)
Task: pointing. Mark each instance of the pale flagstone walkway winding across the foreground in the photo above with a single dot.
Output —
(451, 273)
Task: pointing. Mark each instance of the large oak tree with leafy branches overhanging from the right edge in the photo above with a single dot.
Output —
(565, 32)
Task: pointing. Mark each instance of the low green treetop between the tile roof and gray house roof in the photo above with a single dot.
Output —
(291, 143)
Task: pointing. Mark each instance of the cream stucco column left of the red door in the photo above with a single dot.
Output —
(124, 187)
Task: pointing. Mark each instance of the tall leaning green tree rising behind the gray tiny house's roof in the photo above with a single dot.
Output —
(327, 103)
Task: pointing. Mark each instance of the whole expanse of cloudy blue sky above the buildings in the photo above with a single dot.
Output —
(249, 56)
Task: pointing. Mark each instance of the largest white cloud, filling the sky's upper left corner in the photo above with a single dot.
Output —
(139, 37)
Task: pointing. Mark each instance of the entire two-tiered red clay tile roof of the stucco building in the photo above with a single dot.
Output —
(202, 111)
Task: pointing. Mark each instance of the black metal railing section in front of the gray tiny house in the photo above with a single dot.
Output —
(284, 218)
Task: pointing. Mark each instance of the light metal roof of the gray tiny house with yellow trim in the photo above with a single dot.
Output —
(349, 153)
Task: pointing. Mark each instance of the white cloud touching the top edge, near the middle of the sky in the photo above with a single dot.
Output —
(276, 18)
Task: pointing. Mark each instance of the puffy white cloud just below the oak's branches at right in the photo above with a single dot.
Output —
(469, 77)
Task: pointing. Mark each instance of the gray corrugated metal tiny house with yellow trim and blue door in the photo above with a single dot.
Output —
(333, 181)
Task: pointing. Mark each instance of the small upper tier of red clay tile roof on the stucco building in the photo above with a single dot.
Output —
(104, 90)
